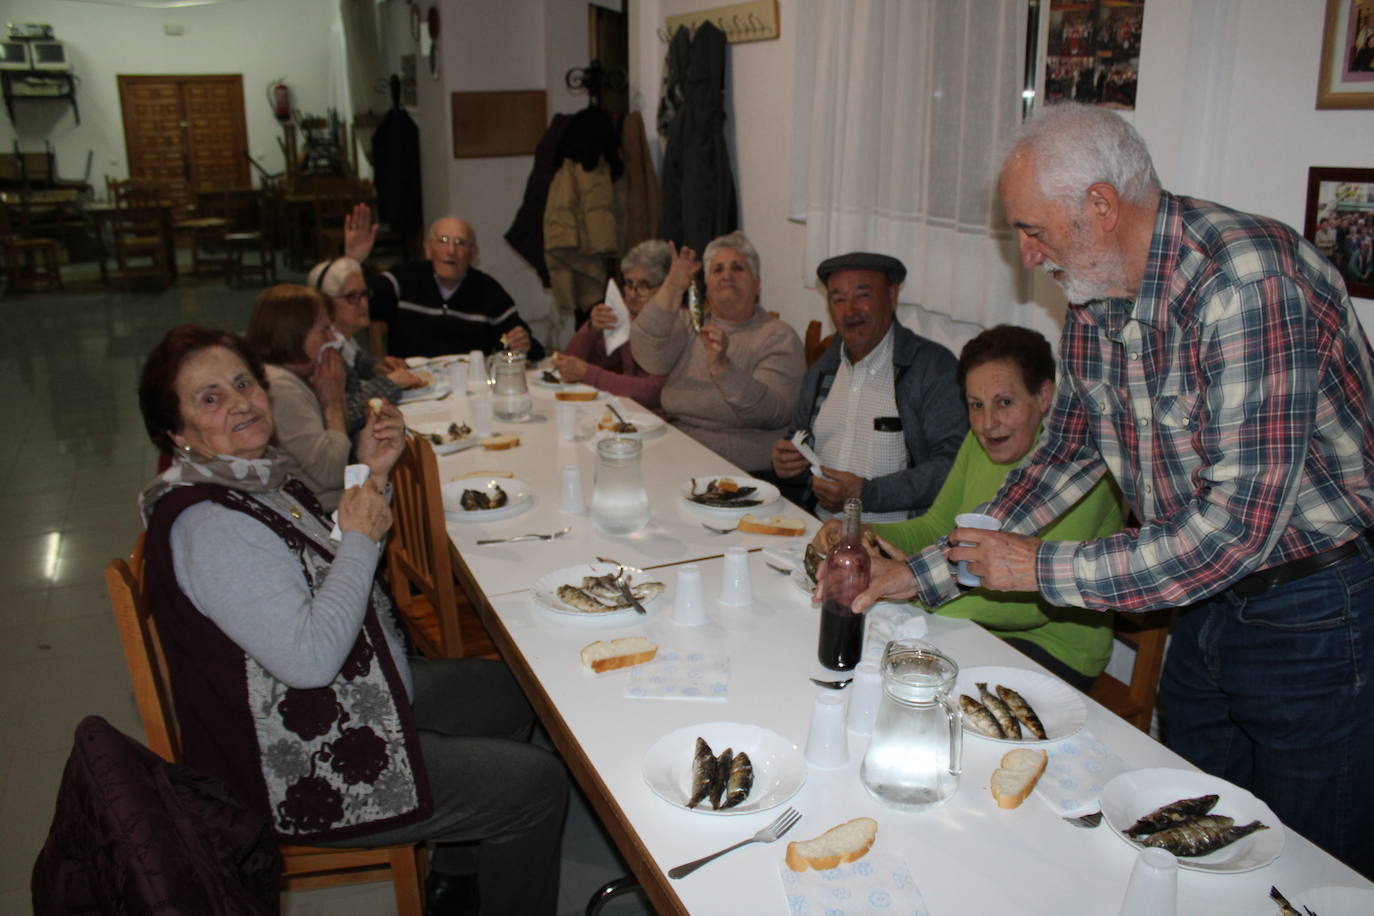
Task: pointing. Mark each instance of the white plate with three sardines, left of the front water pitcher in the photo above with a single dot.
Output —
(780, 768)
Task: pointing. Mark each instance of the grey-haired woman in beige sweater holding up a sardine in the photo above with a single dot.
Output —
(733, 385)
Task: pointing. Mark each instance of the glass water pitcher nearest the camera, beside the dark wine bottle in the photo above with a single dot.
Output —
(914, 756)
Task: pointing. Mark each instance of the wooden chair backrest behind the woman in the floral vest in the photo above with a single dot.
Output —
(144, 654)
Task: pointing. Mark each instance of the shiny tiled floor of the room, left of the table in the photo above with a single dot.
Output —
(72, 462)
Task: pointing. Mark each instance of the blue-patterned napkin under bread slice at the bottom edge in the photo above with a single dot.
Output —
(877, 884)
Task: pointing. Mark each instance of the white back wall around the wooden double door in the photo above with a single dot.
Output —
(259, 39)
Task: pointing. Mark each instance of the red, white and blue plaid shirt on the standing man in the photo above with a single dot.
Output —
(1232, 402)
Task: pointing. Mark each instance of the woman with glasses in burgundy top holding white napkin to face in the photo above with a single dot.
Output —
(586, 359)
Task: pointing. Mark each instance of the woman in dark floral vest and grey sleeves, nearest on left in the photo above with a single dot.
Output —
(289, 675)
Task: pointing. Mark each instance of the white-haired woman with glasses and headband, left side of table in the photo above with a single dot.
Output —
(365, 376)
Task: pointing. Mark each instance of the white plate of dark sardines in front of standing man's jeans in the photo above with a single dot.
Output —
(1131, 796)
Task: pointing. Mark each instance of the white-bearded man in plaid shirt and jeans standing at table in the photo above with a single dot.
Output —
(1214, 366)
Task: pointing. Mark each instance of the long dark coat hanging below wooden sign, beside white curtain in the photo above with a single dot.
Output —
(697, 183)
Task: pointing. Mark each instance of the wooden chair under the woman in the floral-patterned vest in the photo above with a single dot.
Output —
(304, 867)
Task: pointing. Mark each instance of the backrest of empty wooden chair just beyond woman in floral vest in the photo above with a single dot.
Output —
(418, 553)
